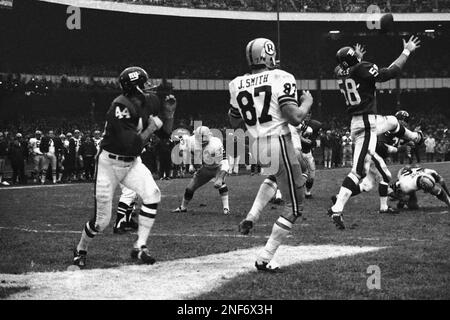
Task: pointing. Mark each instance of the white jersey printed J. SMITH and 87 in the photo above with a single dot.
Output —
(258, 99)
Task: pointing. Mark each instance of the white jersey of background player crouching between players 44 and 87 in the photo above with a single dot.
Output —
(212, 155)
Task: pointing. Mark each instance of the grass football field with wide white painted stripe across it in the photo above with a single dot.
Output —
(202, 256)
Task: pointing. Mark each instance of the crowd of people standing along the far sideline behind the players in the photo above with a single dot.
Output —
(75, 137)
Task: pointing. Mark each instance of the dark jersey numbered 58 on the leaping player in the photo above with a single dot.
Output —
(357, 84)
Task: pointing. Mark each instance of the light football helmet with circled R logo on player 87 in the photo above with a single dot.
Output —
(261, 53)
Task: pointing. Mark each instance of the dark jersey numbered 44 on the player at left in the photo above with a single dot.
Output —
(125, 120)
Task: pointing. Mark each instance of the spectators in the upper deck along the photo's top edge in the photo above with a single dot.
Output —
(305, 5)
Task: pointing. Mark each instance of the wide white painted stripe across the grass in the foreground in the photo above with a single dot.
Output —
(177, 279)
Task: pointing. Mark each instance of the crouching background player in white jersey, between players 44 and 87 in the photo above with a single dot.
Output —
(207, 150)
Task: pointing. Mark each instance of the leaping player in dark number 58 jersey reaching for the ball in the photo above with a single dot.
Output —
(357, 80)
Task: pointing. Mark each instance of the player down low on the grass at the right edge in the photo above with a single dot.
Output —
(410, 180)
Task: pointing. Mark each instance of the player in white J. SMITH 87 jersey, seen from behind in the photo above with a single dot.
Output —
(266, 101)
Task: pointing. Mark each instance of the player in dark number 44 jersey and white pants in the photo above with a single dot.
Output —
(130, 122)
